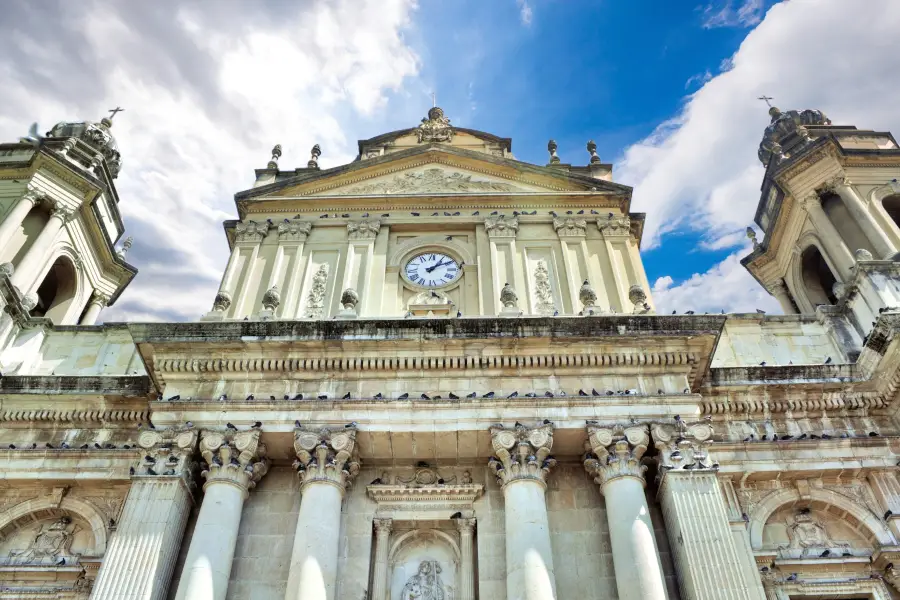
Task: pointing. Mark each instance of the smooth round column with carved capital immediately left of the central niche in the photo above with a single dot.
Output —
(327, 462)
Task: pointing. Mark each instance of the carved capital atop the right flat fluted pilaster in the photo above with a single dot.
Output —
(683, 446)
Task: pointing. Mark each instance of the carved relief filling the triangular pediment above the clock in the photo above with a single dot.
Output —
(431, 180)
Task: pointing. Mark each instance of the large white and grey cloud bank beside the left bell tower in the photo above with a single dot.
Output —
(207, 94)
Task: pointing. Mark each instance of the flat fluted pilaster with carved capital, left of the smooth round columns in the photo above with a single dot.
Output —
(141, 556)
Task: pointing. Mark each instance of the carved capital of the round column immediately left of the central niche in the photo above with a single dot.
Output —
(326, 455)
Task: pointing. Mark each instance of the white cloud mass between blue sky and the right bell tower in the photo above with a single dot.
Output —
(699, 170)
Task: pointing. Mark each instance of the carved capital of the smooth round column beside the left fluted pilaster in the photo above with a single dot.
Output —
(235, 457)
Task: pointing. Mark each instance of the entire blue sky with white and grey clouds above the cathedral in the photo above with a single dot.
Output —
(668, 90)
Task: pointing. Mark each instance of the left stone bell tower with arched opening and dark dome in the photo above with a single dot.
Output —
(59, 222)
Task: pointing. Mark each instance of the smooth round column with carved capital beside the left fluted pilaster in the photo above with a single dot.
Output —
(235, 463)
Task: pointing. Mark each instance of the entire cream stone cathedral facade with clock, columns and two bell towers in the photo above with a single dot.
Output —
(438, 373)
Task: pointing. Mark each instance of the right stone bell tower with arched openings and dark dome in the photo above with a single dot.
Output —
(829, 212)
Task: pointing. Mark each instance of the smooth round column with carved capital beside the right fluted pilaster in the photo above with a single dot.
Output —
(615, 463)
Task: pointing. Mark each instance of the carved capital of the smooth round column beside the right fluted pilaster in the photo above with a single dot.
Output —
(616, 451)
